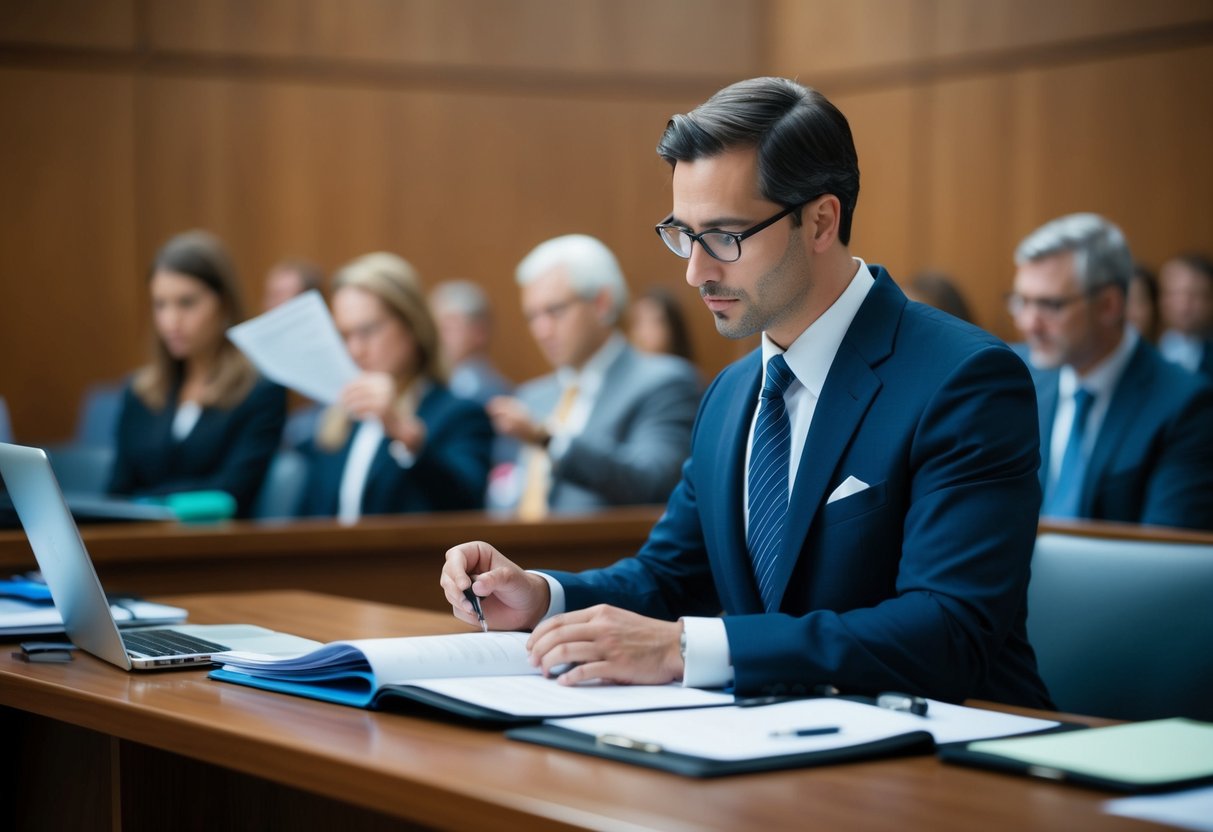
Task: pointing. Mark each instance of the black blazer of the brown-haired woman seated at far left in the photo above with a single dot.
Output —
(229, 451)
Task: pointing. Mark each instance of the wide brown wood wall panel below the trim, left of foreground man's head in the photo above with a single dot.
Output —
(460, 185)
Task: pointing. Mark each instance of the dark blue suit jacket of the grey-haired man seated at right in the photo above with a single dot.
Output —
(1153, 460)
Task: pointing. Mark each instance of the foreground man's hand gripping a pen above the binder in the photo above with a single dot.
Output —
(510, 597)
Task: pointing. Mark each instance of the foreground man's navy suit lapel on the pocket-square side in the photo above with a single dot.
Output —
(848, 392)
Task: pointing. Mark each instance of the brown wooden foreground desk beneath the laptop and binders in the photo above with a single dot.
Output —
(93, 740)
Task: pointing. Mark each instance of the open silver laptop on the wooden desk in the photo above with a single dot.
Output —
(77, 592)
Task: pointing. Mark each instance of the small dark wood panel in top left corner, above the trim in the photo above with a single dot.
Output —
(107, 25)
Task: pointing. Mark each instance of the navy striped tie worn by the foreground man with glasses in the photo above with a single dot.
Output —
(768, 477)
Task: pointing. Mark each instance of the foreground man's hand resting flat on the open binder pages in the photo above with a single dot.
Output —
(611, 645)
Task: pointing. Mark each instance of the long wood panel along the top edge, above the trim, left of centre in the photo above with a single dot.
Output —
(612, 37)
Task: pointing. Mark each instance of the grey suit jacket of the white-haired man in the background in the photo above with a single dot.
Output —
(634, 446)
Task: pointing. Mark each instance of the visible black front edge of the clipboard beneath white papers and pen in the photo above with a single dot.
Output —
(913, 743)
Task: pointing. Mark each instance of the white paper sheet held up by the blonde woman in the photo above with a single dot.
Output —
(298, 346)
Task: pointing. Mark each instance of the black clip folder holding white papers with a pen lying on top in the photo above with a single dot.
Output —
(742, 740)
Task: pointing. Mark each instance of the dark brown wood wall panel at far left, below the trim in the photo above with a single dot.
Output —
(67, 227)
